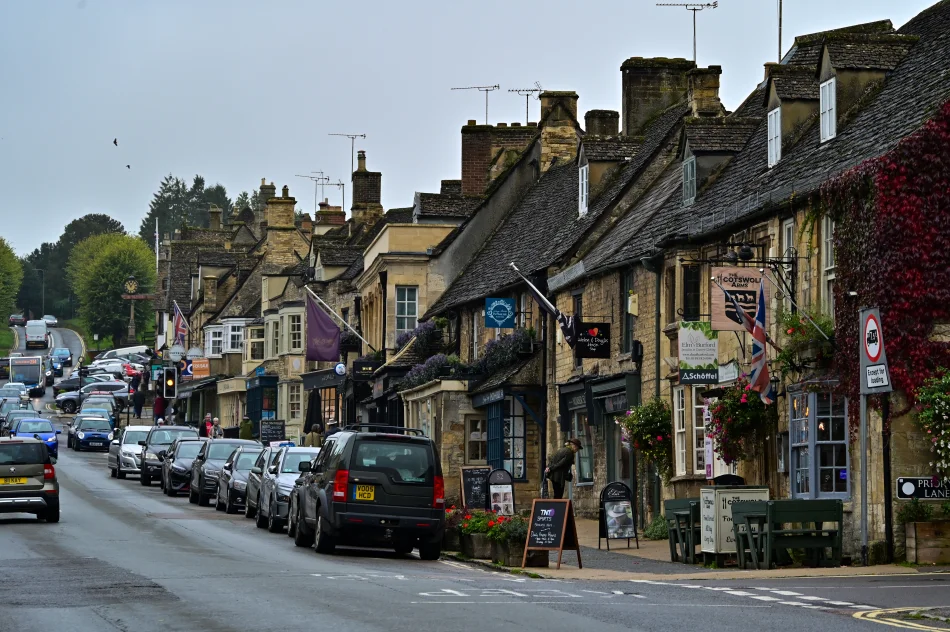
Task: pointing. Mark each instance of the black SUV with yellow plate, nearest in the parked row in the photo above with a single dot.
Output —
(373, 489)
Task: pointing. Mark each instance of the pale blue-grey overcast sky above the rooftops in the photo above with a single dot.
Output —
(239, 90)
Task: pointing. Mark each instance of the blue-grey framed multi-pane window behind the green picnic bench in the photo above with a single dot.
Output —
(818, 434)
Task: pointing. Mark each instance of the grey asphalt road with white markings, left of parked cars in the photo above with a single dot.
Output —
(125, 557)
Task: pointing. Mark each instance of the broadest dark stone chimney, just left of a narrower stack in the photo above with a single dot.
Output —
(650, 86)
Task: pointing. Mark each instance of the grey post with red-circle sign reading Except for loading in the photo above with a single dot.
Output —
(875, 378)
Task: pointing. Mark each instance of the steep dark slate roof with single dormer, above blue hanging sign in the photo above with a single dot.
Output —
(545, 224)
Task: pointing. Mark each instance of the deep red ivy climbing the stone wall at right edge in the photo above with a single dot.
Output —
(892, 247)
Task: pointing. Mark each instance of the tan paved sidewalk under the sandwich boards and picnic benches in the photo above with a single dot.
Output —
(651, 562)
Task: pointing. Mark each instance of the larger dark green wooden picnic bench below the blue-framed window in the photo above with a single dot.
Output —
(765, 530)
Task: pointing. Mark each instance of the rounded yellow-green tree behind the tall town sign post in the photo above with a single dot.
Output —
(98, 269)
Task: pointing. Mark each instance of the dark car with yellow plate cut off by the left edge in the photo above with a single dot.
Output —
(29, 483)
